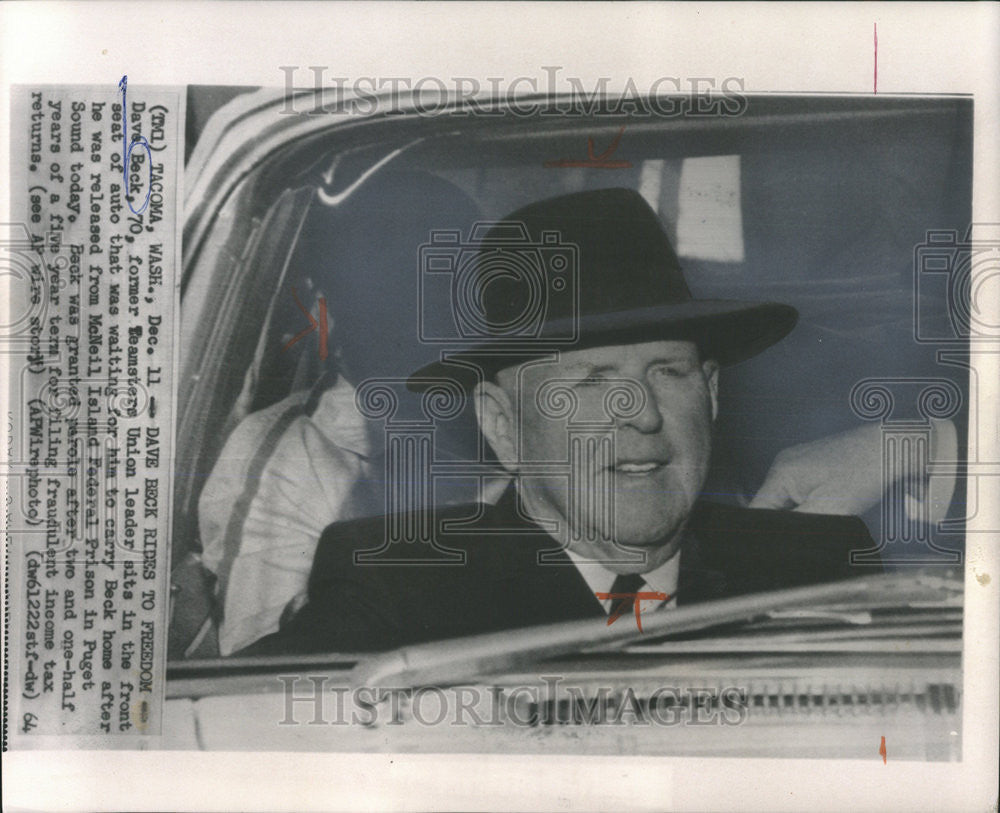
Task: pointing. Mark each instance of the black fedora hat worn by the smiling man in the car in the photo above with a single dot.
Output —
(586, 270)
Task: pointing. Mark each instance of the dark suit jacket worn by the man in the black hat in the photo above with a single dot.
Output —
(501, 585)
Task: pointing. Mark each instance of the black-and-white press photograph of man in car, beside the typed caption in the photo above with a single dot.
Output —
(464, 392)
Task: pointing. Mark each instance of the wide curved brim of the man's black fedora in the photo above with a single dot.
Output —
(727, 331)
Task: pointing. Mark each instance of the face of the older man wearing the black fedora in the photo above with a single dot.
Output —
(661, 446)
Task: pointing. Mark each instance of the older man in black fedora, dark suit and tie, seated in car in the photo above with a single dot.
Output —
(600, 404)
